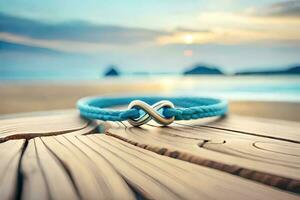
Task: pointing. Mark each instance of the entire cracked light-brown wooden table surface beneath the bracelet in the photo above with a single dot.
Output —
(58, 155)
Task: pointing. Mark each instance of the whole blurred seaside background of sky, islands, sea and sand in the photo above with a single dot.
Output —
(247, 51)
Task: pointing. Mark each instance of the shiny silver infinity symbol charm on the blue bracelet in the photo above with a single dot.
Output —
(151, 112)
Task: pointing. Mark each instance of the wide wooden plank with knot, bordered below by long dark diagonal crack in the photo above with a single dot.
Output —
(189, 144)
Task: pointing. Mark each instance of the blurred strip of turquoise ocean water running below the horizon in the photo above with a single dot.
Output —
(262, 88)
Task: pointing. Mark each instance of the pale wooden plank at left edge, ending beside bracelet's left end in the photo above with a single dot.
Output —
(45, 125)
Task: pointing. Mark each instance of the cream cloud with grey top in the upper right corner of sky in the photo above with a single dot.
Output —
(274, 17)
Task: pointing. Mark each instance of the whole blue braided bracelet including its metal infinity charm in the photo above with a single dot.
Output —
(163, 108)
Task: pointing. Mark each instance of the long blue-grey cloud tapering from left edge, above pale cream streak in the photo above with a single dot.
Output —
(78, 31)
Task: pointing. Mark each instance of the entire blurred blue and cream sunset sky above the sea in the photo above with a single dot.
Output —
(148, 36)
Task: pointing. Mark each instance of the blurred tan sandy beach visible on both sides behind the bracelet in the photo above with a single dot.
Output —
(30, 97)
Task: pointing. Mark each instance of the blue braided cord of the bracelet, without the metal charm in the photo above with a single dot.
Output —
(186, 108)
